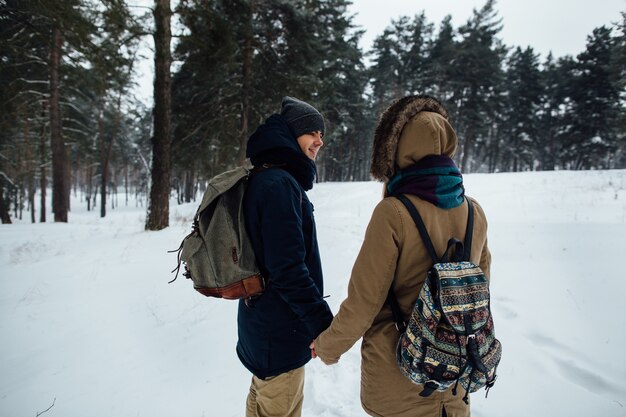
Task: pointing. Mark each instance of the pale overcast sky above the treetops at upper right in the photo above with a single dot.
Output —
(560, 26)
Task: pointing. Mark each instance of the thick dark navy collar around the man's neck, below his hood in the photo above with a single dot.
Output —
(300, 166)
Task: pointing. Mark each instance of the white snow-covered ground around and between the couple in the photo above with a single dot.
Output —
(89, 323)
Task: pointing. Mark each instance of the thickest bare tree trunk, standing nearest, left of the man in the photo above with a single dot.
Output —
(158, 211)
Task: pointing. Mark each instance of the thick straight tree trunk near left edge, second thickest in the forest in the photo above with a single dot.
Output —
(60, 195)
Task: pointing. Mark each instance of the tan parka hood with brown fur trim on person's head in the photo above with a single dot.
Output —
(410, 129)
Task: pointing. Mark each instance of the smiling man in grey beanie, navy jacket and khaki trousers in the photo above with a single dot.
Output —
(276, 328)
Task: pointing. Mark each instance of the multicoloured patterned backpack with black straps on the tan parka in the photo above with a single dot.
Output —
(449, 339)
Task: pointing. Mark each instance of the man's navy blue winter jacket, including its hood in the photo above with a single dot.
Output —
(275, 329)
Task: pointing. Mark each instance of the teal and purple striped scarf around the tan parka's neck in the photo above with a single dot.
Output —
(434, 178)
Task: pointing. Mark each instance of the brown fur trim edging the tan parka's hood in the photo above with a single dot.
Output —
(389, 128)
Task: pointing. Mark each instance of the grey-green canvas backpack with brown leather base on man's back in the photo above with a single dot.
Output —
(217, 255)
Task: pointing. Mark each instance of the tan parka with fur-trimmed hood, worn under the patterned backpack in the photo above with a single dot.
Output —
(393, 255)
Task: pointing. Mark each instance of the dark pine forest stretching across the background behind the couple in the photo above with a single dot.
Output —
(70, 122)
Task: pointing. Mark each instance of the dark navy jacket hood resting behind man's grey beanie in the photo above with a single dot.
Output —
(273, 134)
